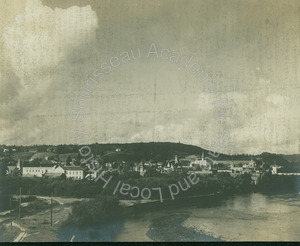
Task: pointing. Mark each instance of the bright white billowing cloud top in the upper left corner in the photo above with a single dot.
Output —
(41, 37)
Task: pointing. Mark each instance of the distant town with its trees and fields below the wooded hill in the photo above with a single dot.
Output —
(49, 163)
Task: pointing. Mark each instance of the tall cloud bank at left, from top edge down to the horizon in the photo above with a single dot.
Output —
(35, 45)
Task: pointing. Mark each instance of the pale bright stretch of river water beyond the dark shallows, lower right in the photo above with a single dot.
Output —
(253, 217)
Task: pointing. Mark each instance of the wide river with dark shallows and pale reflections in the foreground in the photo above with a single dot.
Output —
(249, 217)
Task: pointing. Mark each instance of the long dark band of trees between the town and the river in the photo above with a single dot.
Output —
(207, 184)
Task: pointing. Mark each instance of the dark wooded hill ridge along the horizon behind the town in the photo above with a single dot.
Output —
(156, 151)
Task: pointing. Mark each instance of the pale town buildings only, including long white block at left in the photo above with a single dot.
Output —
(50, 168)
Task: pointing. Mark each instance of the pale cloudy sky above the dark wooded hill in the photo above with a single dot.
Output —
(251, 50)
